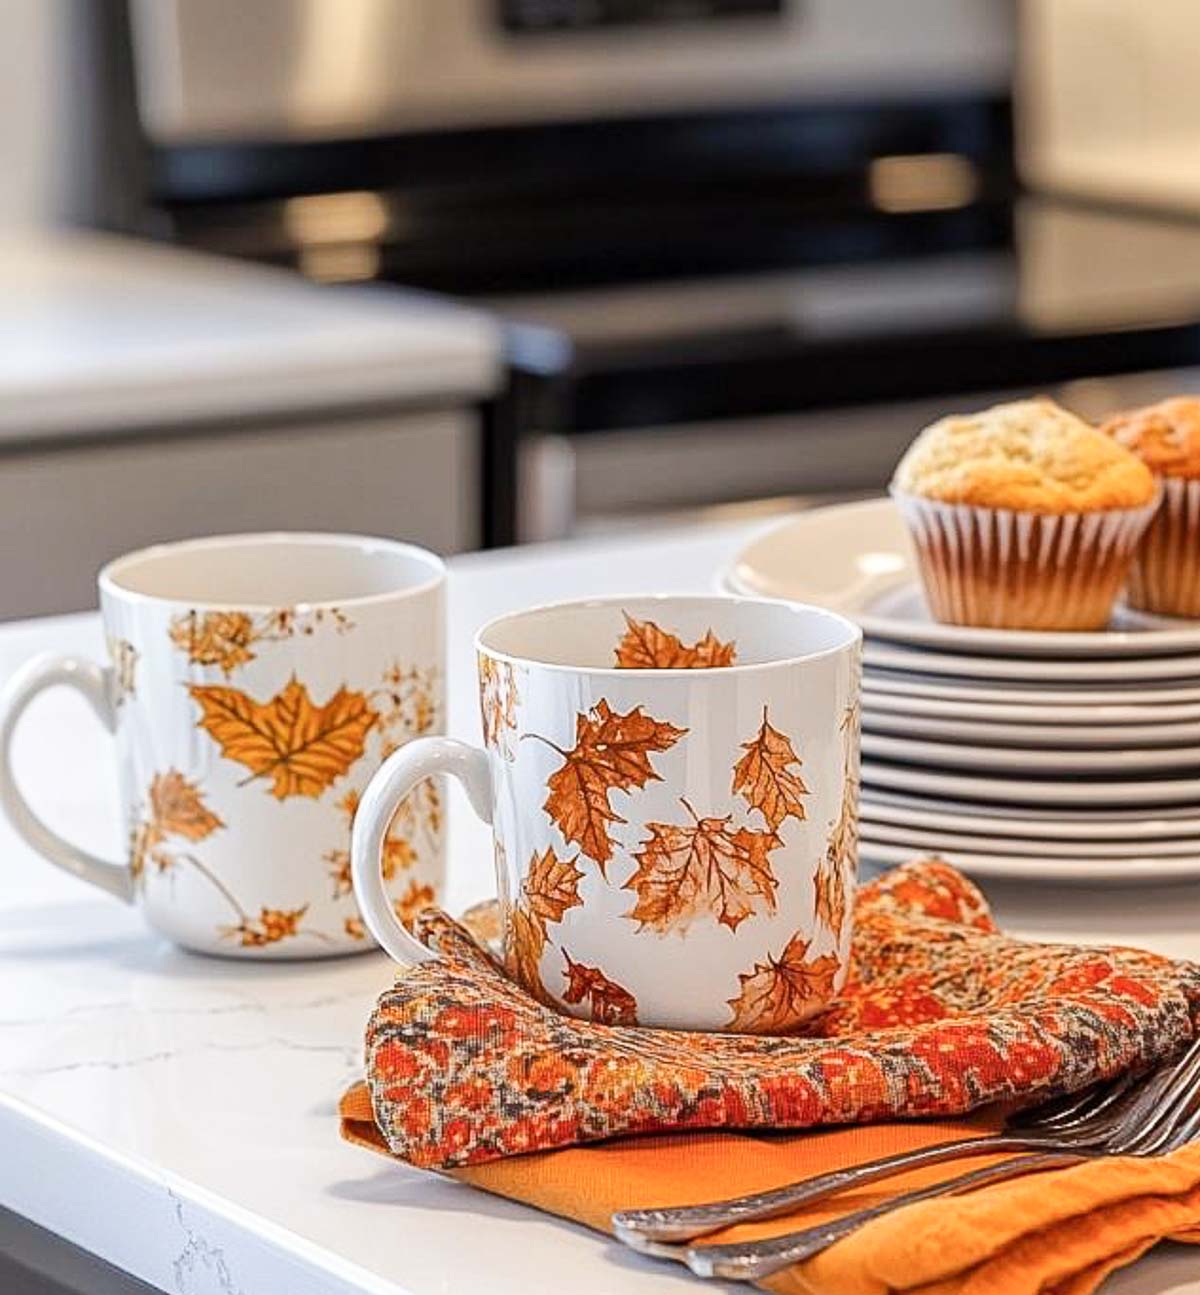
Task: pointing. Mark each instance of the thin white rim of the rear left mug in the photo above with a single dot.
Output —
(108, 580)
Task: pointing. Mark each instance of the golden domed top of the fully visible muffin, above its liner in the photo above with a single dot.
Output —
(1030, 456)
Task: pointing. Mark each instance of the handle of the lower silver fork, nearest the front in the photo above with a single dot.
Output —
(751, 1261)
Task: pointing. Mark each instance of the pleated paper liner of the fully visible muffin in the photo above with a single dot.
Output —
(1016, 570)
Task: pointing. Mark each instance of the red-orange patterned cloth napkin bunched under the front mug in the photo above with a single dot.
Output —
(942, 1015)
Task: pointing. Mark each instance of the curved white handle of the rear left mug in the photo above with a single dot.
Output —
(96, 684)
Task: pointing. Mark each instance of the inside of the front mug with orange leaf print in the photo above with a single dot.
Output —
(587, 635)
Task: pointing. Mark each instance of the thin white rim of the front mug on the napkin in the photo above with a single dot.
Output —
(854, 636)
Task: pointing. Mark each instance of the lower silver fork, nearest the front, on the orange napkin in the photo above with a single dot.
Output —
(1171, 1123)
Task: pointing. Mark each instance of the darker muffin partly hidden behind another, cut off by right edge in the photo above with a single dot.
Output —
(1166, 574)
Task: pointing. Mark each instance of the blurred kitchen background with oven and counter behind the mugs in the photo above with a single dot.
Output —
(480, 273)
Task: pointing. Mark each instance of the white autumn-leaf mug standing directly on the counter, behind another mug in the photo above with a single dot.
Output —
(256, 684)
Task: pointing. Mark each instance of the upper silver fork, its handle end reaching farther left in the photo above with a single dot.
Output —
(1078, 1121)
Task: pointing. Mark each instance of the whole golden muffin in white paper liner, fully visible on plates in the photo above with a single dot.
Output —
(1023, 516)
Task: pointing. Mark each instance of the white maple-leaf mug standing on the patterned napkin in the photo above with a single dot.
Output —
(672, 787)
